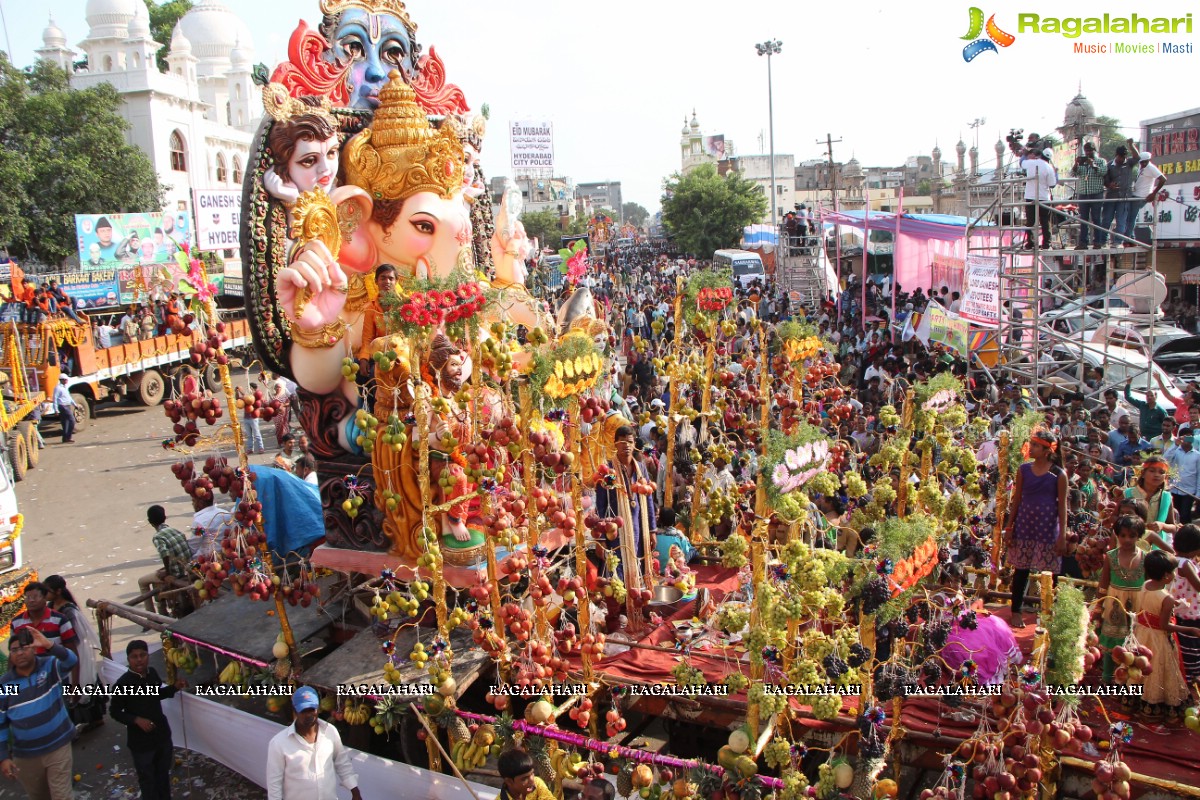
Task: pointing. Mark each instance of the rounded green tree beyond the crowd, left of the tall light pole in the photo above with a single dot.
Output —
(705, 213)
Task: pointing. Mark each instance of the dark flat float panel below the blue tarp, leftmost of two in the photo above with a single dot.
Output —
(244, 625)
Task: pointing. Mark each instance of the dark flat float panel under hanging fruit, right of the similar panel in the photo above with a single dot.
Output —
(359, 663)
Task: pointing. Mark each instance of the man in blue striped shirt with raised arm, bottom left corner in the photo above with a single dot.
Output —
(35, 730)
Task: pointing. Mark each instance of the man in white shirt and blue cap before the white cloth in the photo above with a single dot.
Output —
(307, 761)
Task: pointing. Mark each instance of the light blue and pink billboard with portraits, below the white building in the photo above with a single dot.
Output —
(110, 242)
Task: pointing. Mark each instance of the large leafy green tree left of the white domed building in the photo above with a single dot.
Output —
(63, 153)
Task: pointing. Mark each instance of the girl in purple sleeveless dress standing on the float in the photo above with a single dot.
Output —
(1037, 518)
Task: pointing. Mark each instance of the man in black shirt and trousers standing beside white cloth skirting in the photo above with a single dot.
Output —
(137, 705)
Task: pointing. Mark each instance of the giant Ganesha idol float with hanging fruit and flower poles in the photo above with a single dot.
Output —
(479, 514)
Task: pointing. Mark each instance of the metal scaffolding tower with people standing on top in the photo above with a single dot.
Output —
(1035, 351)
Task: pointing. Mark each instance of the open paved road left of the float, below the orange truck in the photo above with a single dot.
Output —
(85, 510)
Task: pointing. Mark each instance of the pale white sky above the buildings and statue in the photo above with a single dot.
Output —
(617, 79)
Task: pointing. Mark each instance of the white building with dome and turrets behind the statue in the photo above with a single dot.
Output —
(195, 122)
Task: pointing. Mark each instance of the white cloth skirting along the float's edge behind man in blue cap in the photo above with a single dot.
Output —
(239, 741)
